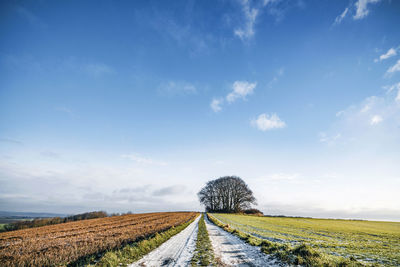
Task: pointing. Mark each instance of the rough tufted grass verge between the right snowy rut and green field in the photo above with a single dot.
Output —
(300, 255)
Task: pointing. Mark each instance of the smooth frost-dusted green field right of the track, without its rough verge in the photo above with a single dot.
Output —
(367, 241)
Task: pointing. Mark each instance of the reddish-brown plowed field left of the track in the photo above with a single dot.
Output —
(68, 242)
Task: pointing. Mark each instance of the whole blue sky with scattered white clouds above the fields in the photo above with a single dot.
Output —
(134, 105)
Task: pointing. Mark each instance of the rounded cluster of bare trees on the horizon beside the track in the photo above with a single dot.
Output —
(226, 194)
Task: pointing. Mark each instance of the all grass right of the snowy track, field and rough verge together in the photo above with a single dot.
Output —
(315, 241)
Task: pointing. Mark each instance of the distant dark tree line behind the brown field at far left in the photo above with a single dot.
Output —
(55, 220)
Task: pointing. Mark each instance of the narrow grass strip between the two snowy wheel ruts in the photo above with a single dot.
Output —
(203, 255)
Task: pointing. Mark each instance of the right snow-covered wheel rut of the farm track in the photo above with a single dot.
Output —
(230, 250)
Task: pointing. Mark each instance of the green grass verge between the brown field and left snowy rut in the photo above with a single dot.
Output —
(133, 252)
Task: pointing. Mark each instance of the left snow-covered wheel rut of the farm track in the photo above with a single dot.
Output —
(177, 251)
